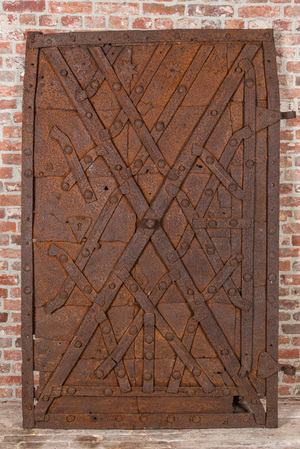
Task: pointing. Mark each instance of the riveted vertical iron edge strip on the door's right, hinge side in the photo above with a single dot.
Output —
(273, 232)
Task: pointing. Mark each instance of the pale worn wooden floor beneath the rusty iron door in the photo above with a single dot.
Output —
(287, 436)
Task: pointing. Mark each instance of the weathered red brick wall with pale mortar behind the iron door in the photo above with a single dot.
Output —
(16, 17)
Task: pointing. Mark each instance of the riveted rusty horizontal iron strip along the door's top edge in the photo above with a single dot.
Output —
(37, 39)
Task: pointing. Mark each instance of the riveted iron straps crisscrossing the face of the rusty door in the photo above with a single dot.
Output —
(150, 216)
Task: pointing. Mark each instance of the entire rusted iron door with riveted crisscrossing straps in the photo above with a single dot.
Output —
(150, 162)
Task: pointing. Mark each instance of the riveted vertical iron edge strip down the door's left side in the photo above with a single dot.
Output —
(27, 287)
